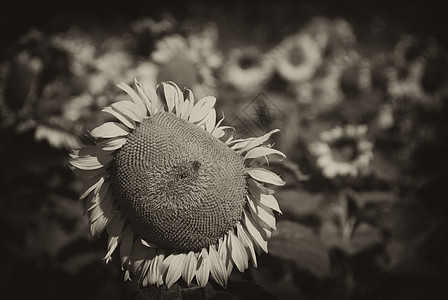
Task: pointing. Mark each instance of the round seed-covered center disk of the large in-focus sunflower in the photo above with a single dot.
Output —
(179, 186)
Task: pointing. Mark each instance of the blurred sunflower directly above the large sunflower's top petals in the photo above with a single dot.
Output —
(189, 61)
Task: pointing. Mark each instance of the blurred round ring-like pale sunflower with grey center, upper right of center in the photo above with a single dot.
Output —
(297, 58)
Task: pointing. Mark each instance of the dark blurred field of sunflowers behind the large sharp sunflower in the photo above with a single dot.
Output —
(358, 90)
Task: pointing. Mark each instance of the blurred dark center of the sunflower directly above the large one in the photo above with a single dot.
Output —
(179, 69)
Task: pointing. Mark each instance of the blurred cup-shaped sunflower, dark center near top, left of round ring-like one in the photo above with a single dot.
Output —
(248, 69)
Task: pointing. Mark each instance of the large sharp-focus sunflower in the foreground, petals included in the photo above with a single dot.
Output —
(176, 200)
